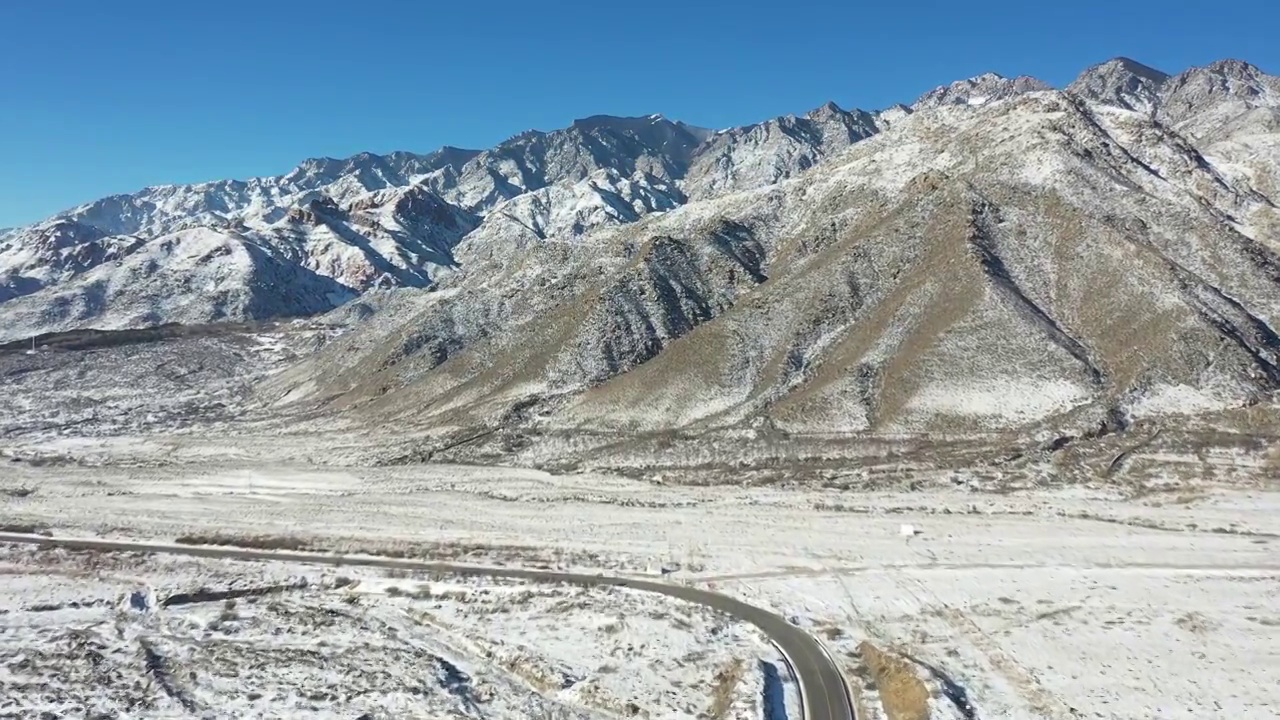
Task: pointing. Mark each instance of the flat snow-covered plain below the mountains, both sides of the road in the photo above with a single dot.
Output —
(1076, 603)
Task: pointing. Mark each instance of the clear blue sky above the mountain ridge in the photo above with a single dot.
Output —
(109, 97)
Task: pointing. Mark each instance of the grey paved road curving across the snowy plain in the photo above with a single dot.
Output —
(822, 686)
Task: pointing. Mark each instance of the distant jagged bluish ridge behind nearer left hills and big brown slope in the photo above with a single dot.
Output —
(659, 163)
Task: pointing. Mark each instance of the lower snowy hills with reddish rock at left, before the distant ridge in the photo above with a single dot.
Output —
(67, 275)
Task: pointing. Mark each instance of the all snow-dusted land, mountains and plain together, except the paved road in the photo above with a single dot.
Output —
(1150, 599)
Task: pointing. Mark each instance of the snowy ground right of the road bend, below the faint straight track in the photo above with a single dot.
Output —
(1034, 642)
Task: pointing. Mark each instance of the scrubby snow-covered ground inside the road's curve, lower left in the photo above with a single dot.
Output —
(115, 636)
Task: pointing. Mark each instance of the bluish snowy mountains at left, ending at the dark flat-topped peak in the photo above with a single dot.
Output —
(362, 222)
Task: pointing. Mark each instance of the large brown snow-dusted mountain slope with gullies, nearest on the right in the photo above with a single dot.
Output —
(984, 267)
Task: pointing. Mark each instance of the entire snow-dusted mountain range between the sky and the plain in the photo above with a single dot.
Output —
(998, 254)
